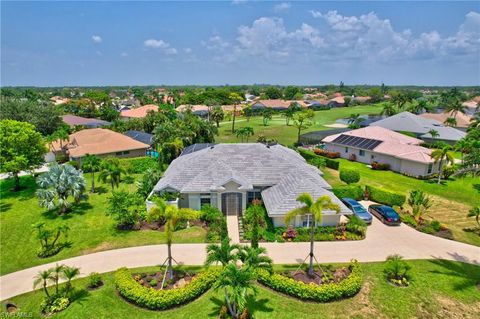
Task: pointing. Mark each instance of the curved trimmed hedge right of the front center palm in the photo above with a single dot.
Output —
(322, 293)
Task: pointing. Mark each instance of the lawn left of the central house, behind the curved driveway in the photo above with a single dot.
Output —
(90, 229)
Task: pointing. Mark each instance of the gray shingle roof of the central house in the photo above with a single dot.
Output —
(248, 164)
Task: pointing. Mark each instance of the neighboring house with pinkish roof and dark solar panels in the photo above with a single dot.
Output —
(377, 144)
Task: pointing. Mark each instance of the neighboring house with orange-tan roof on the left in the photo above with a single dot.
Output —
(100, 142)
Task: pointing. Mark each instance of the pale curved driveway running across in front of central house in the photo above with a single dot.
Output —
(381, 241)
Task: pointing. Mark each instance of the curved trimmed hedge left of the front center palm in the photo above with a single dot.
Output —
(163, 299)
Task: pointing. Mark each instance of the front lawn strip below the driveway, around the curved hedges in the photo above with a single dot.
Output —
(439, 288)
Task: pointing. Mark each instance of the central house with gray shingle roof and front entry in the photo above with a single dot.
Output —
(231, 176)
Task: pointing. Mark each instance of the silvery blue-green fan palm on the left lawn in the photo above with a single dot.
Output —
(56, 185)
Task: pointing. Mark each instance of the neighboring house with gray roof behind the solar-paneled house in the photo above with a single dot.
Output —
(411, 123)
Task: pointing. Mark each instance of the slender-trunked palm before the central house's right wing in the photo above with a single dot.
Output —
(314, 209)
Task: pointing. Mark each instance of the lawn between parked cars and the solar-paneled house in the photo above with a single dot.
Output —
(451, 199)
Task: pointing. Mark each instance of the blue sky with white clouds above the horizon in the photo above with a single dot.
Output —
(239, 42)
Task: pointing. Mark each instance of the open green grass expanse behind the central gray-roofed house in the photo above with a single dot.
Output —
(287, 135)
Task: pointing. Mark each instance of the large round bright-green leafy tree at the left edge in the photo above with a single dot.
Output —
(21, 148)
